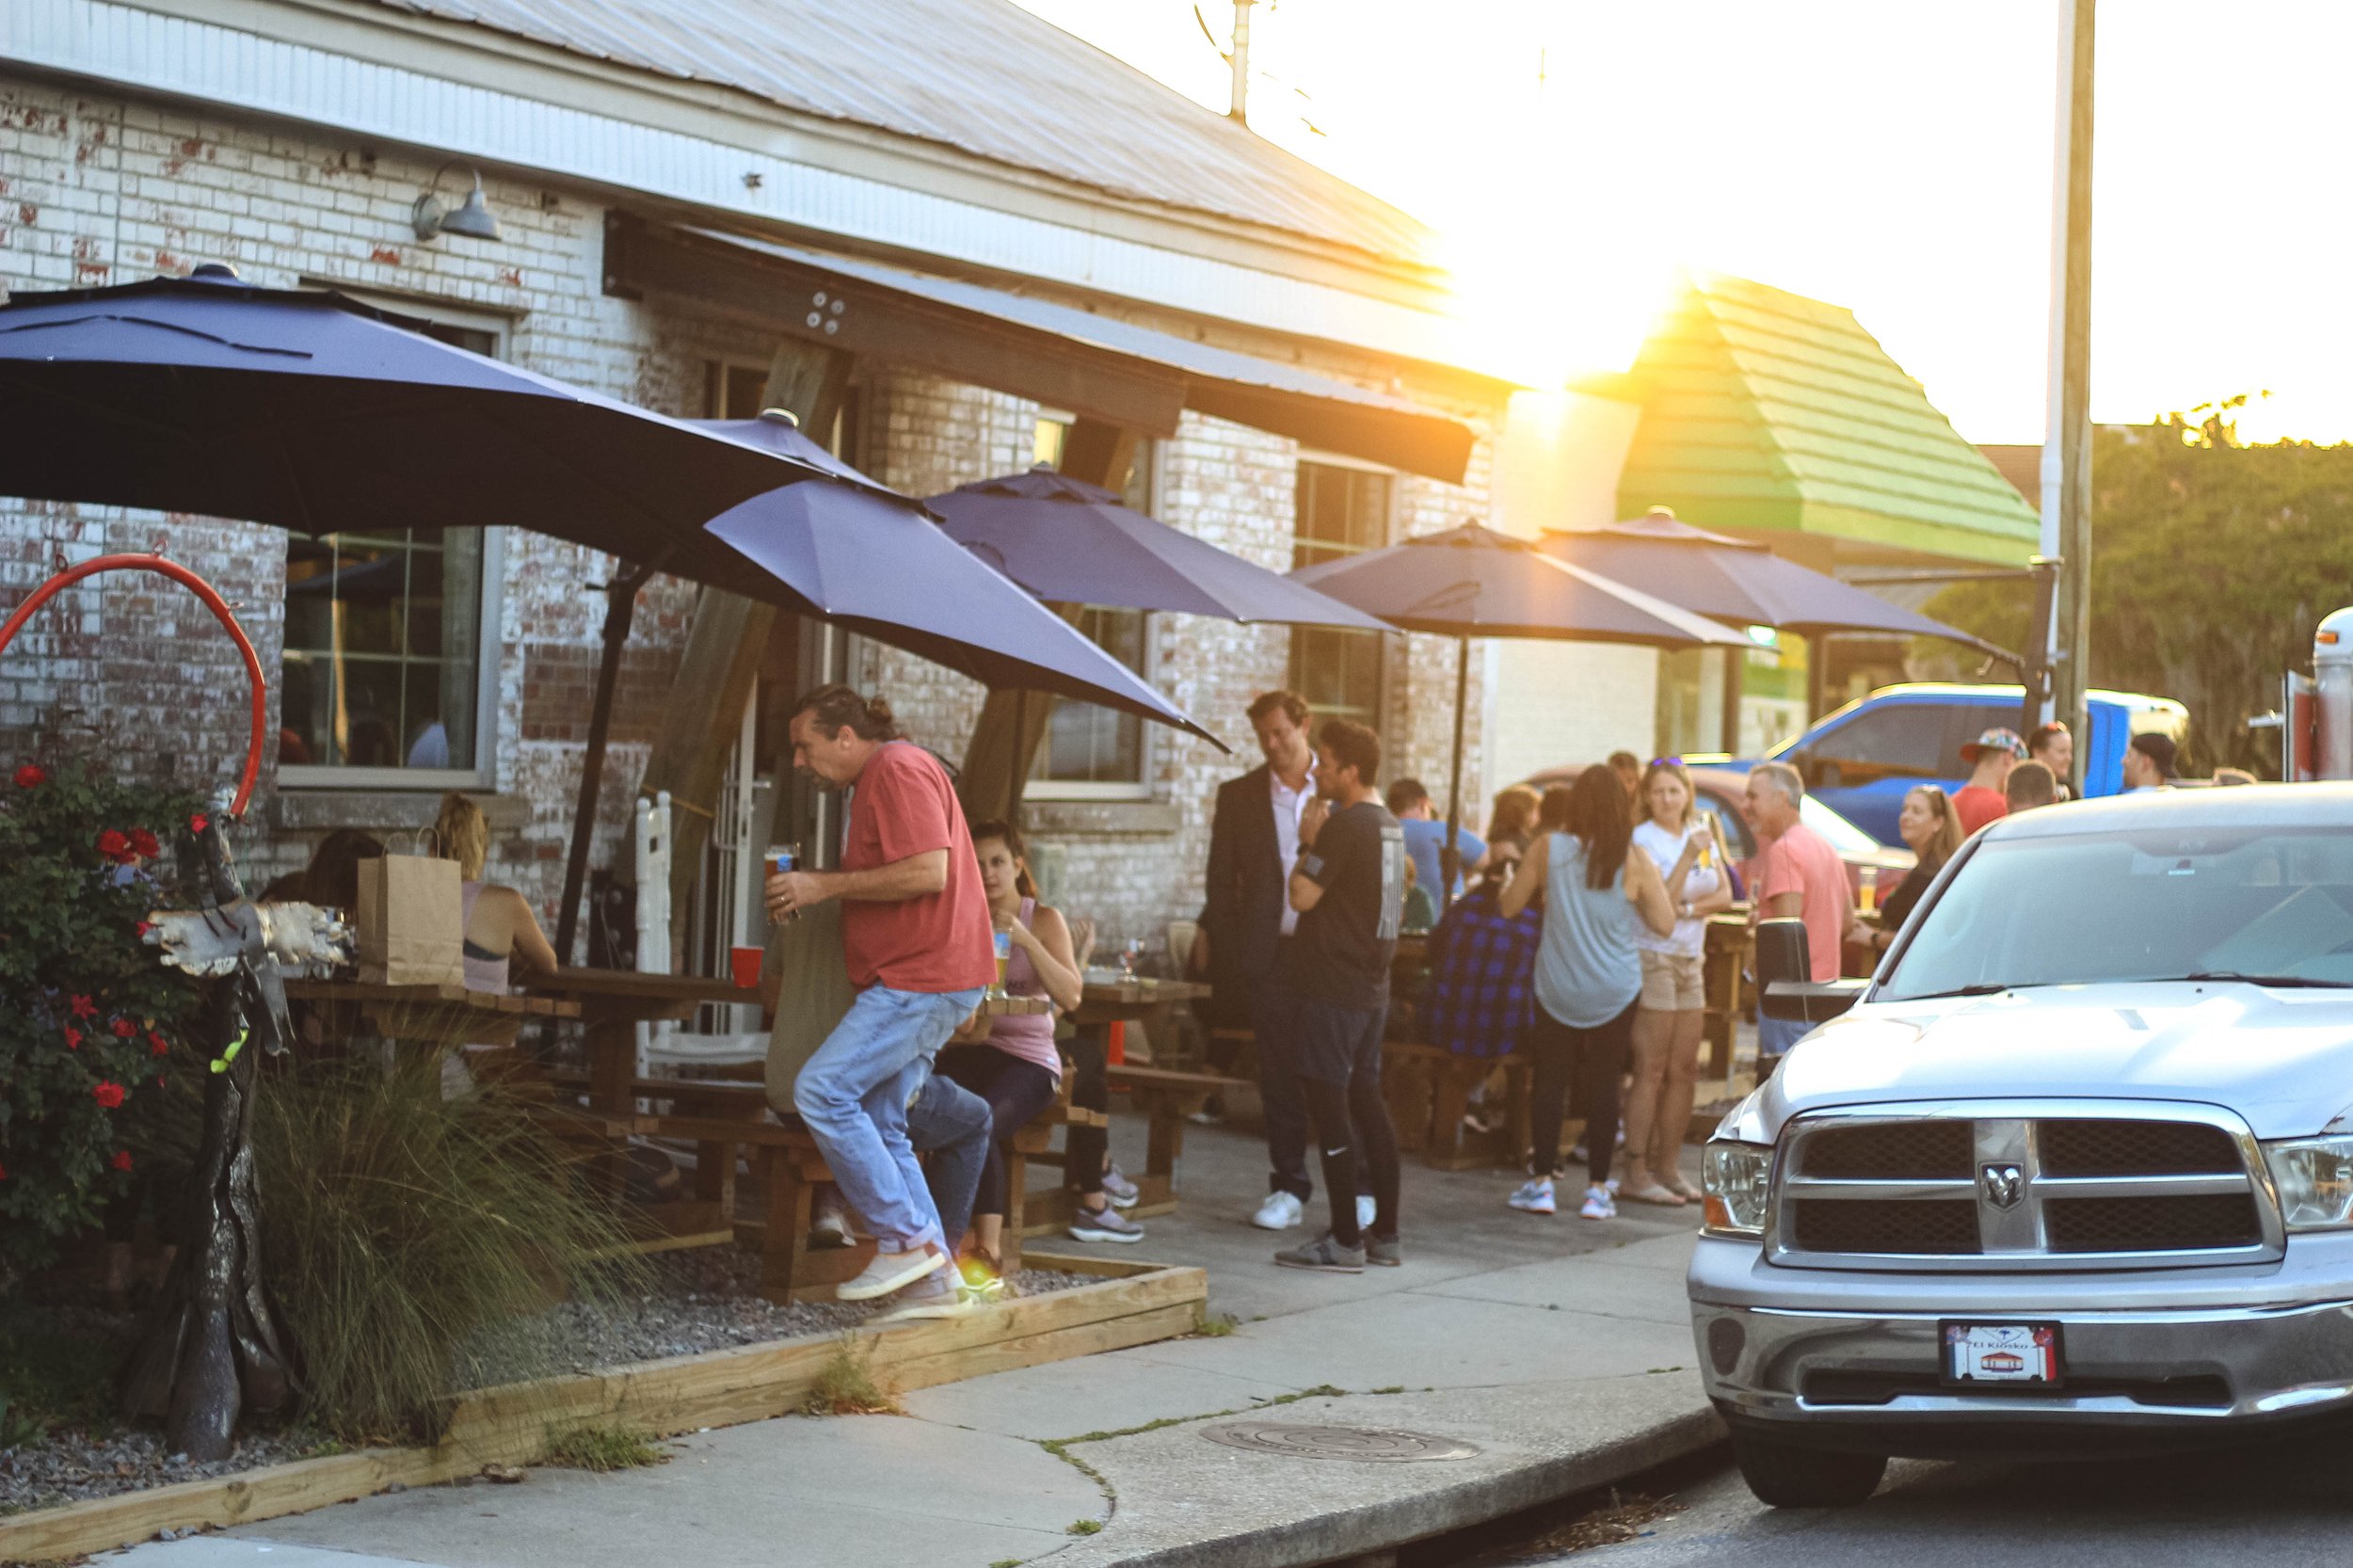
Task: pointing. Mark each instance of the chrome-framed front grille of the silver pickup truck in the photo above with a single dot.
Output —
(2013, 1185)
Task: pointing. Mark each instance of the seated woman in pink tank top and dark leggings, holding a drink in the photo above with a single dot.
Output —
(1011, 1061)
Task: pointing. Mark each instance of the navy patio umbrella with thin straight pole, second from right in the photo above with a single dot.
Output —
(1474, 583)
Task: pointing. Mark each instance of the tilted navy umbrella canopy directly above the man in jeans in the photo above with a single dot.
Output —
(881, 569)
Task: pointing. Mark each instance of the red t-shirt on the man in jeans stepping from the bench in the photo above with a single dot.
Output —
(940, 943)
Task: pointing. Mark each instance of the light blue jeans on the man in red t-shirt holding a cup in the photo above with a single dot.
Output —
(855, 1091)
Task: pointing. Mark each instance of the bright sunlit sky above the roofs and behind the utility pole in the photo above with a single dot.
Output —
(1893, 157)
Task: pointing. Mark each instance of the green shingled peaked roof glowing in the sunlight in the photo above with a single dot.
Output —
(1768, 411)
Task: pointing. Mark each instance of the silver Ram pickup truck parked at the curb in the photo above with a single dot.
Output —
(2072, 1174)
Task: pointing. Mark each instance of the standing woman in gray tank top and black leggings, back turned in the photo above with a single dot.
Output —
(1589, 971)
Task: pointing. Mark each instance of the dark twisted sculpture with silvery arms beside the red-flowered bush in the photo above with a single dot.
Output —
(213, 1346)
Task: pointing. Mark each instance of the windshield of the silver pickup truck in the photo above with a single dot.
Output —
(2152, 905)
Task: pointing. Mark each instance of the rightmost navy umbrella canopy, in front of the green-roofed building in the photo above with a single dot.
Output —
(1735, 580)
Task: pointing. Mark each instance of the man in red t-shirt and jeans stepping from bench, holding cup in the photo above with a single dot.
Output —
(921, 952)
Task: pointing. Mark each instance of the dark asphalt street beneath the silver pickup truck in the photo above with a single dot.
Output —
(2220, 1510)
